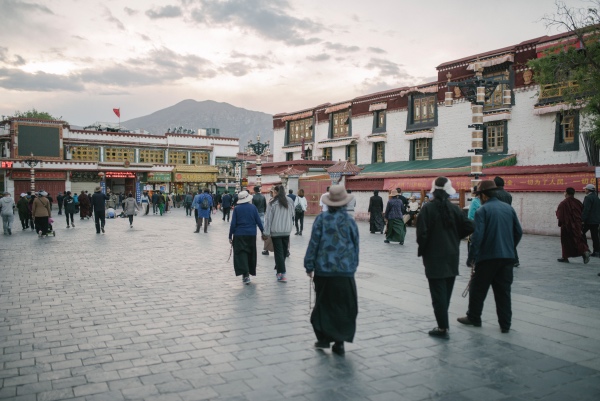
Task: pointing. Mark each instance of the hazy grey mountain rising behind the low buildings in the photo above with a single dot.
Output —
(191, 114)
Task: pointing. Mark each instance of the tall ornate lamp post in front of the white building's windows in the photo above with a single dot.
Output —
(477, 90)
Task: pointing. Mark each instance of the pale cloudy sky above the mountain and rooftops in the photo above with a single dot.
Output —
(79, 59)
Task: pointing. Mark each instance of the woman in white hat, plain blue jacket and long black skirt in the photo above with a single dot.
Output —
(242, 236)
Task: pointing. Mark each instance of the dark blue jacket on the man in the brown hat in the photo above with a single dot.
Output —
(497, 232)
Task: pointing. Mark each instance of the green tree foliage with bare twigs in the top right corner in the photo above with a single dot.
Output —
(580, 66)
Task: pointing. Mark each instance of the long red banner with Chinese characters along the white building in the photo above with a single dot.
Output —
(555, 182)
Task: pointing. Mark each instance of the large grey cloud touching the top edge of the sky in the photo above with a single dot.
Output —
(270, 19)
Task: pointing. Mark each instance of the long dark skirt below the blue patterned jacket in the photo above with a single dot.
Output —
(336, 307)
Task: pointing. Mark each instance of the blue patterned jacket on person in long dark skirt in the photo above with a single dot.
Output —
(333, 247)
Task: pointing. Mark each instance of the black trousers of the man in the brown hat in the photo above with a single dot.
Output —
(499, 274)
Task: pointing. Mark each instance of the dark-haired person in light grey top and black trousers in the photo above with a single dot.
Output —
(278, 226)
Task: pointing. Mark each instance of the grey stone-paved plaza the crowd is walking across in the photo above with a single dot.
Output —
(156, 313)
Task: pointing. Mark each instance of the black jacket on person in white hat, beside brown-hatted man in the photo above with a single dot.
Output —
(440, 245)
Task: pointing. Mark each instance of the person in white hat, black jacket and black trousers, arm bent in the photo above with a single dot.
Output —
(440, 227)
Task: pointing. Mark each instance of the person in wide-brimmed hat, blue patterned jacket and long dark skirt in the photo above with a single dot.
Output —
(331, 261)
